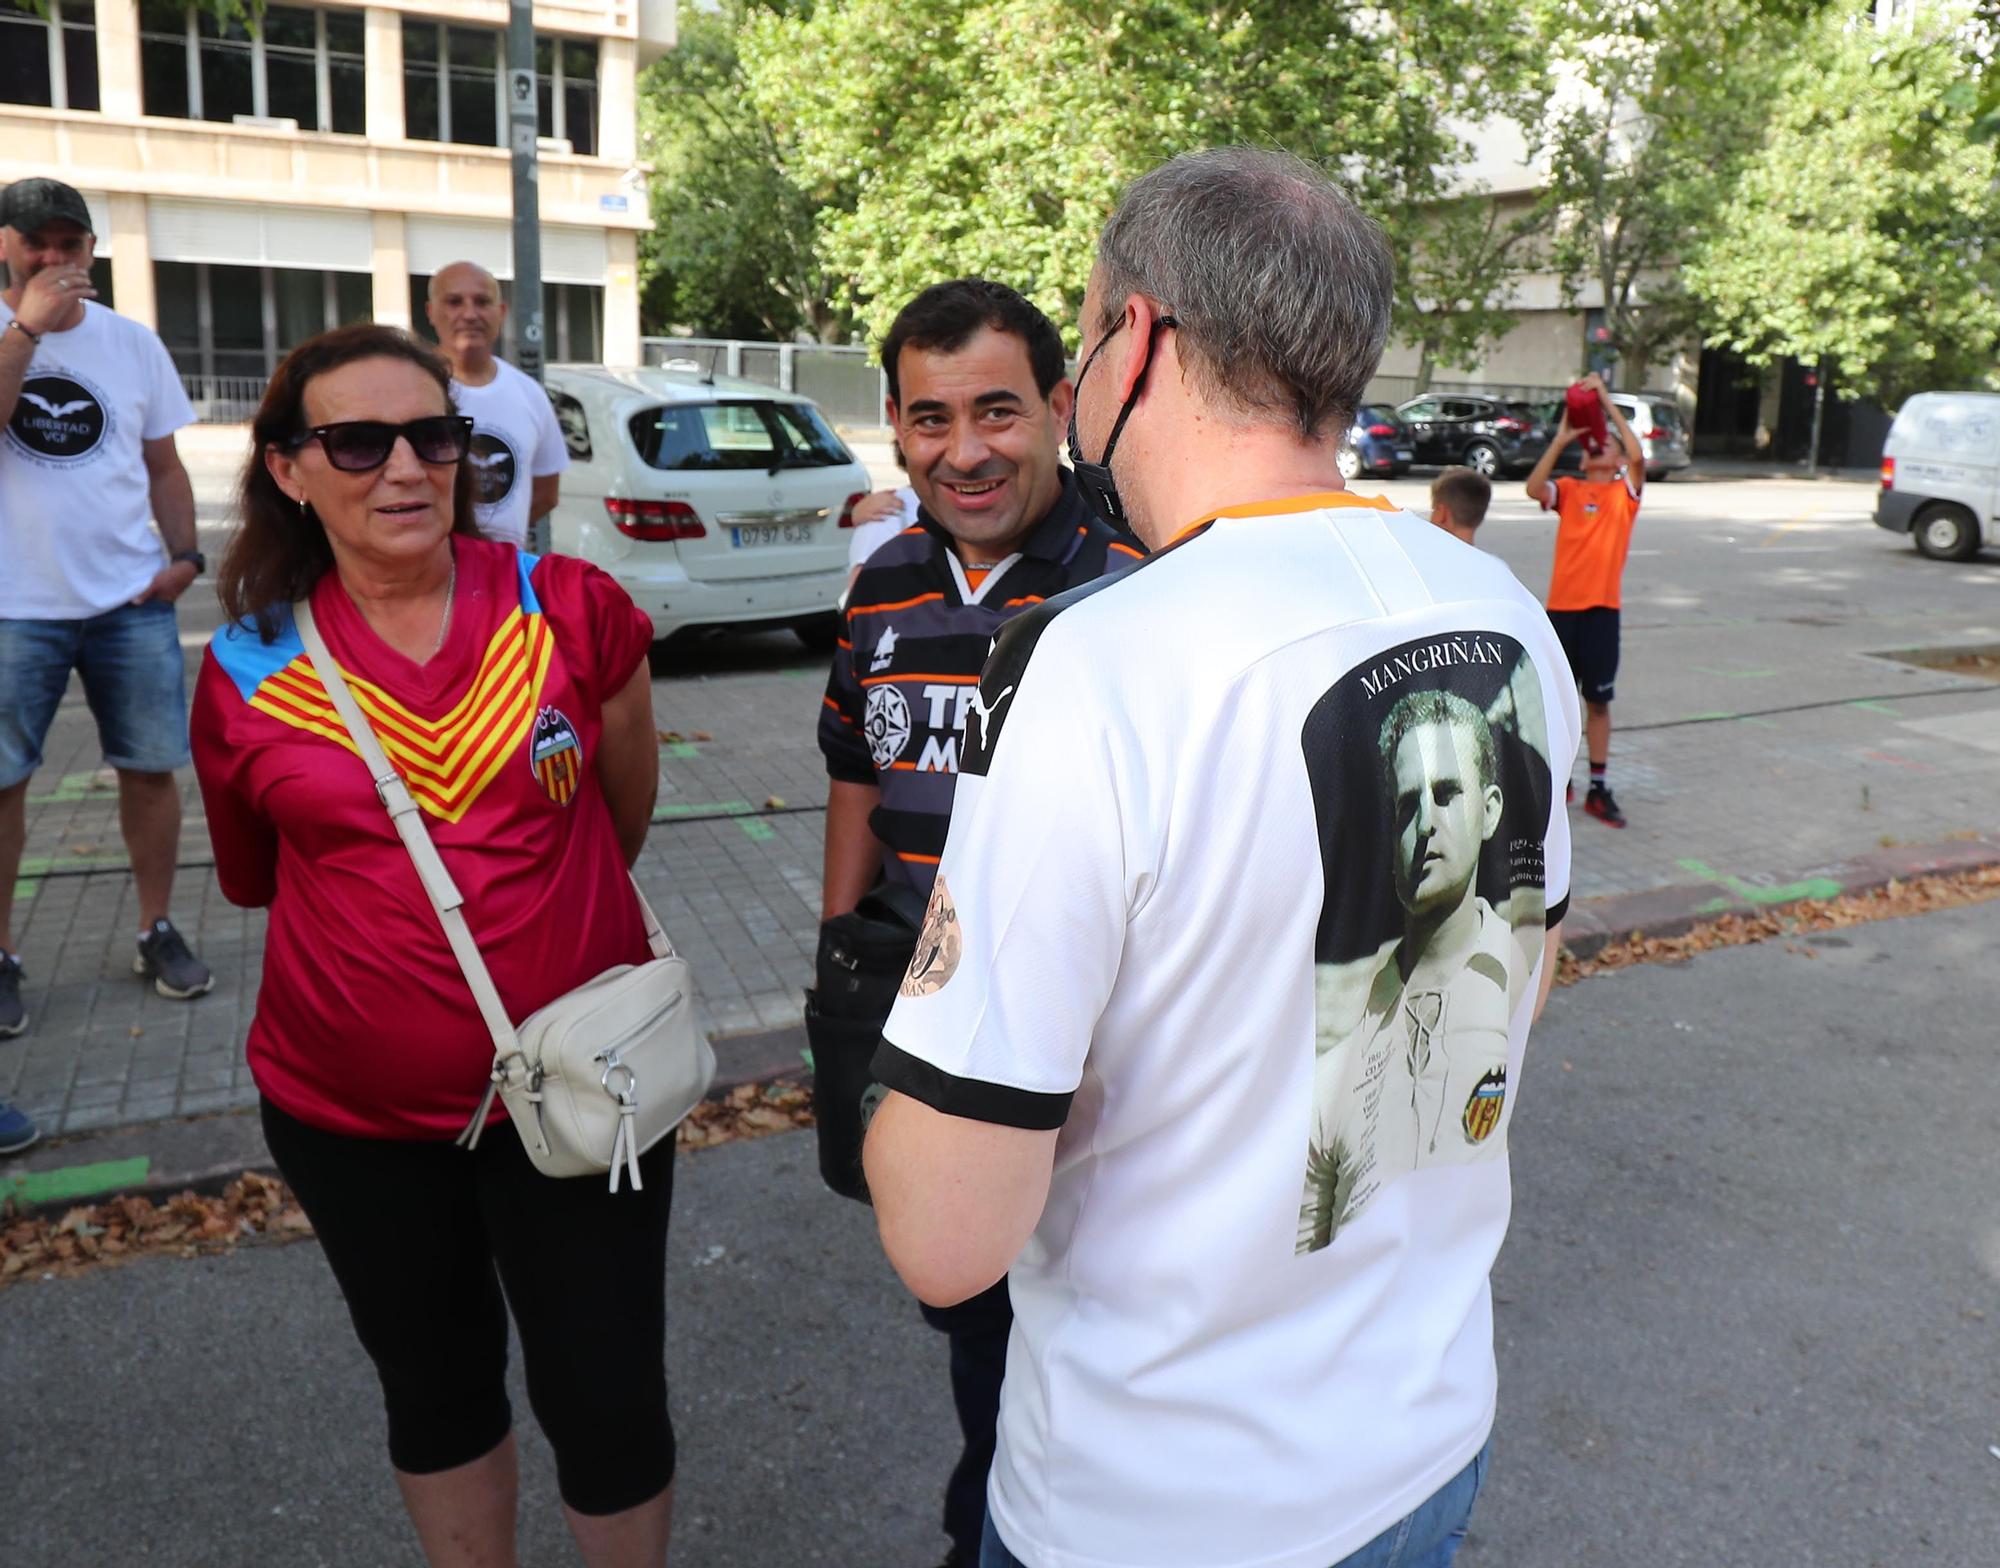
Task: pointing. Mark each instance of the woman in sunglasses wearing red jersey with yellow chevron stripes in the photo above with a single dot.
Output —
(513, 697)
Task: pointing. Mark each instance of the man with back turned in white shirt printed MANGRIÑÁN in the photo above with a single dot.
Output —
(1257, 867)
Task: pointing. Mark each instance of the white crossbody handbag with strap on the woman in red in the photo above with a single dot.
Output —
(603, 1073)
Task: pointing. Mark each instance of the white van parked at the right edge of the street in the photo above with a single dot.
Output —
(1941, 471)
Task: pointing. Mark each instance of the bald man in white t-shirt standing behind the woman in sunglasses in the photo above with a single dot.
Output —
(517, 447)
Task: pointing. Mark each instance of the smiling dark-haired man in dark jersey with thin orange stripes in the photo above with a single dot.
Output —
(979, 399)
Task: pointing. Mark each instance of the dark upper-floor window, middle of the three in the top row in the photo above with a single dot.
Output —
(287, 65)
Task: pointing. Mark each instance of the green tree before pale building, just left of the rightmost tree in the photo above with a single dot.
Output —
(1651, 121)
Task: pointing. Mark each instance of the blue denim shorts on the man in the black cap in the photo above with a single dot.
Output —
(133, 681)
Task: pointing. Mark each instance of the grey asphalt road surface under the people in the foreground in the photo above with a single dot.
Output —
(1749, 1315)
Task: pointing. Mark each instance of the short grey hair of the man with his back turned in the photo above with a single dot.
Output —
(1281, 283)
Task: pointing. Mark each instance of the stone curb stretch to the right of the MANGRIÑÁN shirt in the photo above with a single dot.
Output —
(1597, 923)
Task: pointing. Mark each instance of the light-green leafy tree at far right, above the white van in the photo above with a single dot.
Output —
(1863, 237)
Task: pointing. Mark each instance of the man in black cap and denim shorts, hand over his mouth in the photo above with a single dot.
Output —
(89, 409)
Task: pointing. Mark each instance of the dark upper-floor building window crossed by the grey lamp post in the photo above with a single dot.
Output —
(453, 83)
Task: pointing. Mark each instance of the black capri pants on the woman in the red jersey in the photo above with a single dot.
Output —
(425, 1237)
